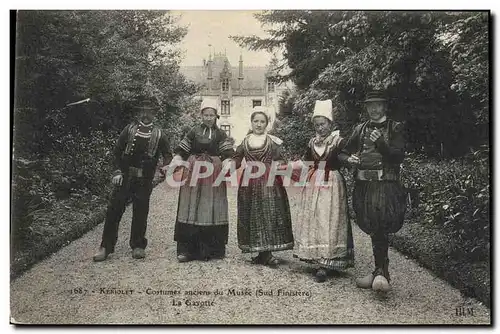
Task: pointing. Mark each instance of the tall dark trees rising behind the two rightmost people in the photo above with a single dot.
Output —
(432, 64)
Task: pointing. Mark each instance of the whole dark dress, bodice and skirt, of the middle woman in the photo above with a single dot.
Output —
(264, 219)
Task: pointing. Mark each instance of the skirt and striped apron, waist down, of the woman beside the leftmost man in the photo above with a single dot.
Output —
(201, 228)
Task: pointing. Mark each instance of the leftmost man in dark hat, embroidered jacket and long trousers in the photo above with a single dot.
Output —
(136, 156)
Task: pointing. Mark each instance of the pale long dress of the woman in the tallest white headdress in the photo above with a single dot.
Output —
(323, 234)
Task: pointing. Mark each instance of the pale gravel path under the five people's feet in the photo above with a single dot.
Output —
(50, 292)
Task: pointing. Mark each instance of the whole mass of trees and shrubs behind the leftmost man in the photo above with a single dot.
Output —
(114, 58)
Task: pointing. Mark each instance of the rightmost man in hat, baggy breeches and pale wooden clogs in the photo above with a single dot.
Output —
(376, 150)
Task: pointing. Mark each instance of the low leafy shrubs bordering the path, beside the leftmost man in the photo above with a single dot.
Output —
(80, 171)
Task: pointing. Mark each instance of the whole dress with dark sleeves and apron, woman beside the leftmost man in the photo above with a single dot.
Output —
(201, 228)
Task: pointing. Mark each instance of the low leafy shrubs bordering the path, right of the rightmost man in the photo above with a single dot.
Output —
(454, 195)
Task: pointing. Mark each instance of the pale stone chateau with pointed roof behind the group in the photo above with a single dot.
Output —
(237, 89)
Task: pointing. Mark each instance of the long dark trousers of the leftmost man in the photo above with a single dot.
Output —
(139, 189)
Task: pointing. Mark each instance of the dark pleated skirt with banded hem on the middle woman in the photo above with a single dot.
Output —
(264, 219)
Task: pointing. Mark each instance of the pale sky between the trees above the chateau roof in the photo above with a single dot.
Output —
(214, 27)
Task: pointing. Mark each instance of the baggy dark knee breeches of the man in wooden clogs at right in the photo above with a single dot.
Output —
(379, 206)
